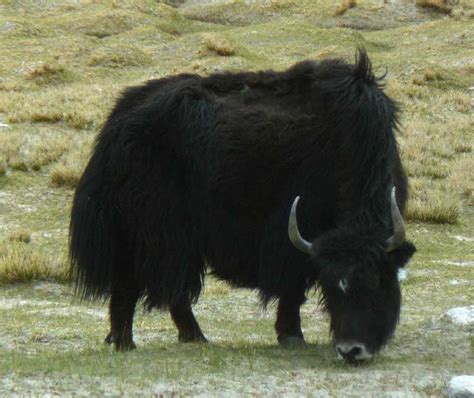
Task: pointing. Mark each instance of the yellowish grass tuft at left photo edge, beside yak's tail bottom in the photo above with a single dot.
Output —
(20, 264)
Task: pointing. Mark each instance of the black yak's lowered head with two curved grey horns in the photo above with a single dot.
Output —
(358, 275)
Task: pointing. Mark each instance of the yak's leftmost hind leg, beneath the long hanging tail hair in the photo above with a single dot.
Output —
(122, 310)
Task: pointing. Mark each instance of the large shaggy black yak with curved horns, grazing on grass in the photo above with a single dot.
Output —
(193, 174)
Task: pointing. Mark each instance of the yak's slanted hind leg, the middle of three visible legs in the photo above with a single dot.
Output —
(188, 327)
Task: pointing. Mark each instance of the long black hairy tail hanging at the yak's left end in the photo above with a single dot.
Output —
(94, 244)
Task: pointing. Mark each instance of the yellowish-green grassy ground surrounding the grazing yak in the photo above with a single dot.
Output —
(62, 64)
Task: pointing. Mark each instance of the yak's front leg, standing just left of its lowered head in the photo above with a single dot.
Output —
(288, 323)
